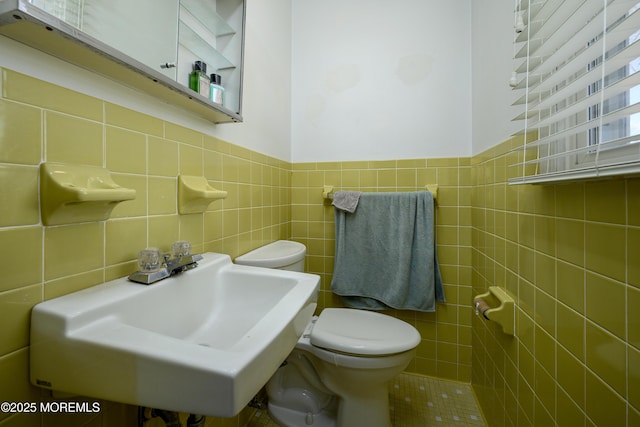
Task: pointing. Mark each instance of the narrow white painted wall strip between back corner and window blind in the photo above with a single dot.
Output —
(492, 48)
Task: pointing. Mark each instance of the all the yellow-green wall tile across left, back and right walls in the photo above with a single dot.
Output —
(567, 252)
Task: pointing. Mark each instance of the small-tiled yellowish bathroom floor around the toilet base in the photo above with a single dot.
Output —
(418, 401)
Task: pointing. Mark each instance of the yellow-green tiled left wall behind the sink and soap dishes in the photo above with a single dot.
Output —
(42, 122)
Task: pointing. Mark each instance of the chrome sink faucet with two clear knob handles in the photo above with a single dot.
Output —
(154, 266)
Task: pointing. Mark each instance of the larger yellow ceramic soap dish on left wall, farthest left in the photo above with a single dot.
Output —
(71, 193)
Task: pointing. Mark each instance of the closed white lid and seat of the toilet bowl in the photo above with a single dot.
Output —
(363, 332)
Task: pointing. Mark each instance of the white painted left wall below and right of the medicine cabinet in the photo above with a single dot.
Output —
(266, 107)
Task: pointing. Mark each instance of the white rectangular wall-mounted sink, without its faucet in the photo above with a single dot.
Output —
(204, 341)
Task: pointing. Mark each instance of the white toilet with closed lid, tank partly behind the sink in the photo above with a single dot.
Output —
(338, 374)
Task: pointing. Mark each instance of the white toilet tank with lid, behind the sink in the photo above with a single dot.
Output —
(282, 254)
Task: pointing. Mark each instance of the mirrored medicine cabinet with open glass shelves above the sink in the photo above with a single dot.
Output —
(149, 45)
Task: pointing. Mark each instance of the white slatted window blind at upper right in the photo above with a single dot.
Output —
(577, 66)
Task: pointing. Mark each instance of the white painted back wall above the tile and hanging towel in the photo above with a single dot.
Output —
(377, 79)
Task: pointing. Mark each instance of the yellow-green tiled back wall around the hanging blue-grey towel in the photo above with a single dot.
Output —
(445, 350)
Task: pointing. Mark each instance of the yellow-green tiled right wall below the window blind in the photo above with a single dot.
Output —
(569, 255)
